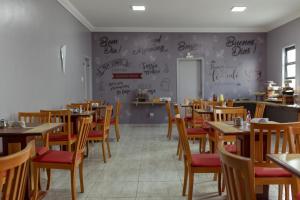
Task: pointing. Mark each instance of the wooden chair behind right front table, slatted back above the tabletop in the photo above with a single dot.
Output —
(226, 114)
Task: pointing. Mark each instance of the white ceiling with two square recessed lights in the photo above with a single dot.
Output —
(183, 15)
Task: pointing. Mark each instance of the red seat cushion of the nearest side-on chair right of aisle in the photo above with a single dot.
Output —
(206, 160)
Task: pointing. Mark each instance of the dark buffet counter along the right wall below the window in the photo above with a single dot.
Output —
(274, 111)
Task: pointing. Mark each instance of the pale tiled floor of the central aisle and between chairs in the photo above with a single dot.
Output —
(143, 166)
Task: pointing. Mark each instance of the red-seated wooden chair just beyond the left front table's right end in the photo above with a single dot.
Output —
(65, 135)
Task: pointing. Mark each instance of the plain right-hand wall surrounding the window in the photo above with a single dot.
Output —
(277, 39)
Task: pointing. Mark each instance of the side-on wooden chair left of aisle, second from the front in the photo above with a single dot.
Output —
(103, 135)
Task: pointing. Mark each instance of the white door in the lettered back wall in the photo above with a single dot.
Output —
(189, 79)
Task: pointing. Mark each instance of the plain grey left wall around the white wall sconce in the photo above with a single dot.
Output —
(31, 33)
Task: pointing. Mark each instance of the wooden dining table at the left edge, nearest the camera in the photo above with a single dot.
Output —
(19, 135)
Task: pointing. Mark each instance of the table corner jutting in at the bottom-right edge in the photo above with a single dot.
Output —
(291, 163)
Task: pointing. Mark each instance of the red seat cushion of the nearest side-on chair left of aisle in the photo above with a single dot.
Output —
(55, 157)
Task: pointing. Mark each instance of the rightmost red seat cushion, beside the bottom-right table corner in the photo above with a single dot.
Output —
(271, 172)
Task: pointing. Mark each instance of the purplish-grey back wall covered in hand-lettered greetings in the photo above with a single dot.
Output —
(234, 65)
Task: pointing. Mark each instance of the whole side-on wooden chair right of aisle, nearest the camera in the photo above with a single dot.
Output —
(196, 163)
